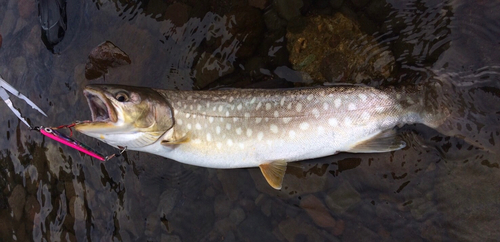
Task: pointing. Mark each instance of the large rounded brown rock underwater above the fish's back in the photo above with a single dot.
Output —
(333, 49)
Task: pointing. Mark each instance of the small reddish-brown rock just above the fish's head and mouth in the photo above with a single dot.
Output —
(102, 57)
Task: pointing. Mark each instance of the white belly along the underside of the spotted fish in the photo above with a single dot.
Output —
(252, 152)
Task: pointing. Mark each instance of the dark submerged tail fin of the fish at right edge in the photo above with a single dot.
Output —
(472, 110)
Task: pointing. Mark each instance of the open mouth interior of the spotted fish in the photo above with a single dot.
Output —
(102, 110)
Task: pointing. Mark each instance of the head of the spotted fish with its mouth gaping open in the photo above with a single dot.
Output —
(126, 116)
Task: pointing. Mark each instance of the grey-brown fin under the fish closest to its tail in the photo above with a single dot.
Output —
(384, 142)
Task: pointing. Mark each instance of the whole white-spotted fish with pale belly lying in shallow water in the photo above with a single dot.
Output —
(265, 128)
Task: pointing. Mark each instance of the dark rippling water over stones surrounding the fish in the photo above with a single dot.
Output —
(439, 188)
